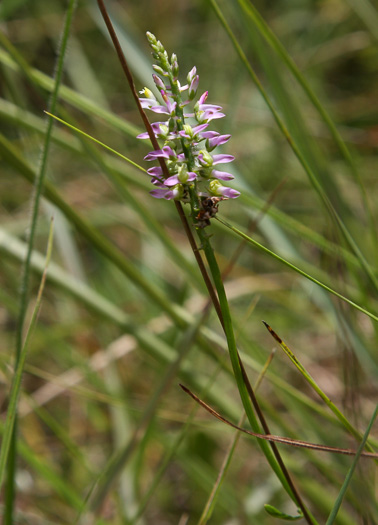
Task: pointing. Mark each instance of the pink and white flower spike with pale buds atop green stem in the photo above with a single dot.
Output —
(188, 145)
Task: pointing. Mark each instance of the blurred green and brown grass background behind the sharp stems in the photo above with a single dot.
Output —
(101, 414)
